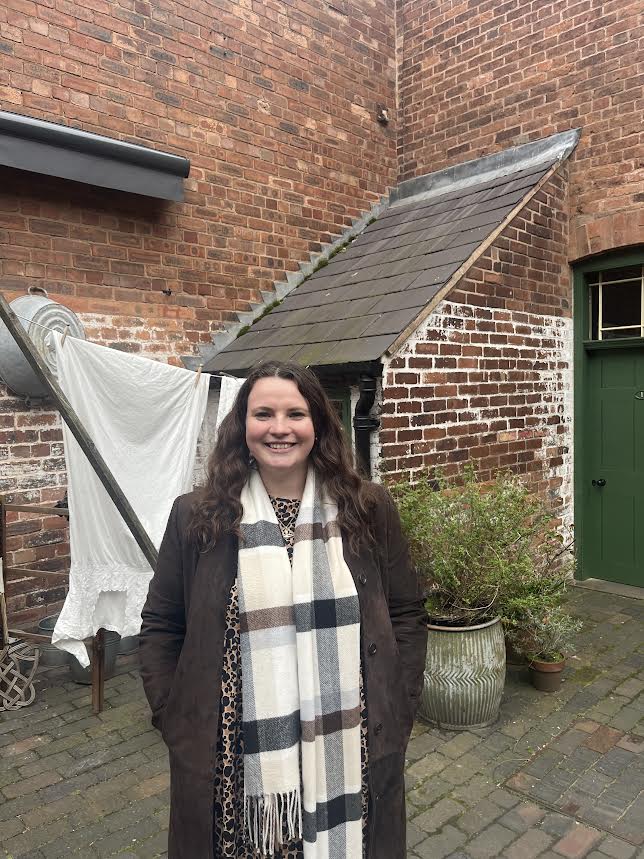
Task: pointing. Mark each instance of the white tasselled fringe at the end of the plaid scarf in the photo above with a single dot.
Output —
(267, 817)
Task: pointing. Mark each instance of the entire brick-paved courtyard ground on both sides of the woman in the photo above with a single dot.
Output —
(557, 776)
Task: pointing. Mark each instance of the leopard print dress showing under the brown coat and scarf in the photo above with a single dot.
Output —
(229, 833)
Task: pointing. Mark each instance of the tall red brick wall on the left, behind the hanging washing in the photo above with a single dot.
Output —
(274, 104)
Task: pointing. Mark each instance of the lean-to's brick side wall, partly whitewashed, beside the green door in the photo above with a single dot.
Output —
(488, 377)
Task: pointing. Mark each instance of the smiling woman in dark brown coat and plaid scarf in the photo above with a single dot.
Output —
(283, 641)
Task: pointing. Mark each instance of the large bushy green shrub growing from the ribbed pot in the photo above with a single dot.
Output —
(484, 550)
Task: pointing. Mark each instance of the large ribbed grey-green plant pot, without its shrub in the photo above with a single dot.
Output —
(464, 675)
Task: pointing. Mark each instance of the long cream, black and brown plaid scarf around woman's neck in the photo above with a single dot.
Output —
(300, 652)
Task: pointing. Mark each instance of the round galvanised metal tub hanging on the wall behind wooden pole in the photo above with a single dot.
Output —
(37, 313)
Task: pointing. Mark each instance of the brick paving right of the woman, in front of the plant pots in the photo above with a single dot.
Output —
(558, 775)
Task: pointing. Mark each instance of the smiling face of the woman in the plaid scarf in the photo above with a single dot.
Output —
(279, 428)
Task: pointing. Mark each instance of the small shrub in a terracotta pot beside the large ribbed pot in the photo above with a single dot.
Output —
(548, 639)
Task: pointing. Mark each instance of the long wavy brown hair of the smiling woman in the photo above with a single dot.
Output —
(218, 509)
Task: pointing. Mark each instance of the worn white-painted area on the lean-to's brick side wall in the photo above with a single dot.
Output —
(540, 347)
